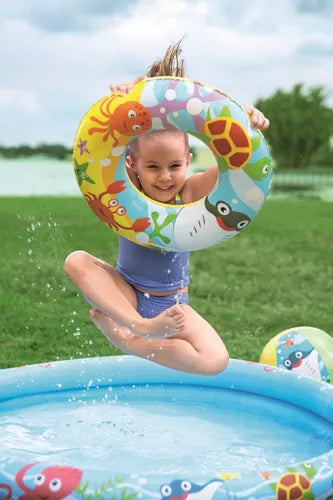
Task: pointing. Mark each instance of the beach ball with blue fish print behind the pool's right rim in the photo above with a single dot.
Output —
(303, 350)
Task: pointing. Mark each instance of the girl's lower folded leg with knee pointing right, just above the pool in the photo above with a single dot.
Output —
(197, 349)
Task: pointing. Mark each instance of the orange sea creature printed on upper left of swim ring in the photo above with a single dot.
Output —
(129, 118)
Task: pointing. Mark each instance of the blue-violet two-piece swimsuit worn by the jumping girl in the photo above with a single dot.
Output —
(153, 270)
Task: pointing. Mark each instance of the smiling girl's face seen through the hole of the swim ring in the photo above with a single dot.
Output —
(161, 164)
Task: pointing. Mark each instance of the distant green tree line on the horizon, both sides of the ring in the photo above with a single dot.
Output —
(300, 134)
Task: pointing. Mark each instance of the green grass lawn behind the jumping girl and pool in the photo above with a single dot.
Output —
(276, 274)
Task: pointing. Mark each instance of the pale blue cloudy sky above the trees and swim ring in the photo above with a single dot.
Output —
(59, 56)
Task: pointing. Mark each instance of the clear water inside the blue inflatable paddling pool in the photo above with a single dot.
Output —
(159, 430)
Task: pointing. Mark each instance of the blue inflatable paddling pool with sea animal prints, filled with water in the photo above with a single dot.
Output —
(125, 428)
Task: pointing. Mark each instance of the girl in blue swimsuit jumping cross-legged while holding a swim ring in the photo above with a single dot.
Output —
(141, 306)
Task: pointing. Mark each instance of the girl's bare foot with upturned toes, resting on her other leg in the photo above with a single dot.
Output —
(167, 323)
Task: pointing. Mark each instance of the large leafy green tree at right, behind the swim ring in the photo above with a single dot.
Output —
(301, 125)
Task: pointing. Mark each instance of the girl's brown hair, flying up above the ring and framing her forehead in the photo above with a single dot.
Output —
(170, 65)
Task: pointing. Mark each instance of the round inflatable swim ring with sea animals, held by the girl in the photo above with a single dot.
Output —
(241, 152)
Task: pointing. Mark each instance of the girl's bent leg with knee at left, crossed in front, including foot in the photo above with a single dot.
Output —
(106, 290)
